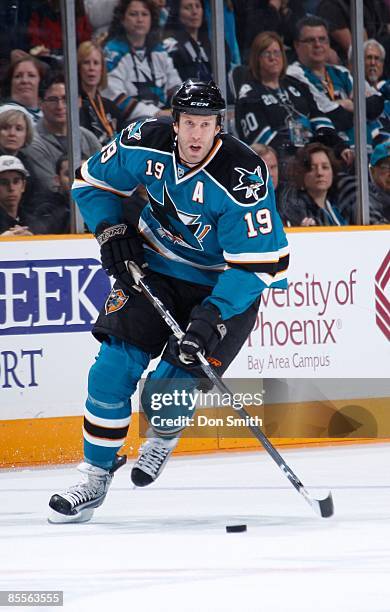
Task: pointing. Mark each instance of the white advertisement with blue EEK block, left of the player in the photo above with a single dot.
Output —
(50, 295)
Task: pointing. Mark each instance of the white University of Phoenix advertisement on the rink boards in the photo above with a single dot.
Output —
(334, 319)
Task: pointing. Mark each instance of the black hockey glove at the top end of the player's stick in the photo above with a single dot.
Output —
(119, 244)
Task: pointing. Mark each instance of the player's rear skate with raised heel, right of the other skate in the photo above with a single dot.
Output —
(154, 454)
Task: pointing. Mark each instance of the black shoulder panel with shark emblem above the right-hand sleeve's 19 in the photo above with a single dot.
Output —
(240, 172)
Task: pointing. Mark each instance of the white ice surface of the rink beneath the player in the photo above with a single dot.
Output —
(165, 547)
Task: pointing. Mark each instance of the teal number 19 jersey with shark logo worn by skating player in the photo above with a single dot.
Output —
(215, 224)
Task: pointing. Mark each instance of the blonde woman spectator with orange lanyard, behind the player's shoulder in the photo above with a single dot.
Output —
(98, 114)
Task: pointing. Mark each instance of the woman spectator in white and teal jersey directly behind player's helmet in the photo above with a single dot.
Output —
(141, 75)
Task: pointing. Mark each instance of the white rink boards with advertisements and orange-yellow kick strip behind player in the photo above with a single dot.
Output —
(321, 348)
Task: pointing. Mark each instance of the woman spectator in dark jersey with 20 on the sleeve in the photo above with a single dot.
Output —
(278, 110)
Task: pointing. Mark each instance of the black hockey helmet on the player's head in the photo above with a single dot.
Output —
(198, 98)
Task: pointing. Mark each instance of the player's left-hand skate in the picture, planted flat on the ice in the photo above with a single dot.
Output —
(77, 504)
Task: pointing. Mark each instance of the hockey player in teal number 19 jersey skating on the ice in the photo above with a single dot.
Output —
(209, 241)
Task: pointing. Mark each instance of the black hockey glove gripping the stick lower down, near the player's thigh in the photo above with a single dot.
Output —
(205, 330)
